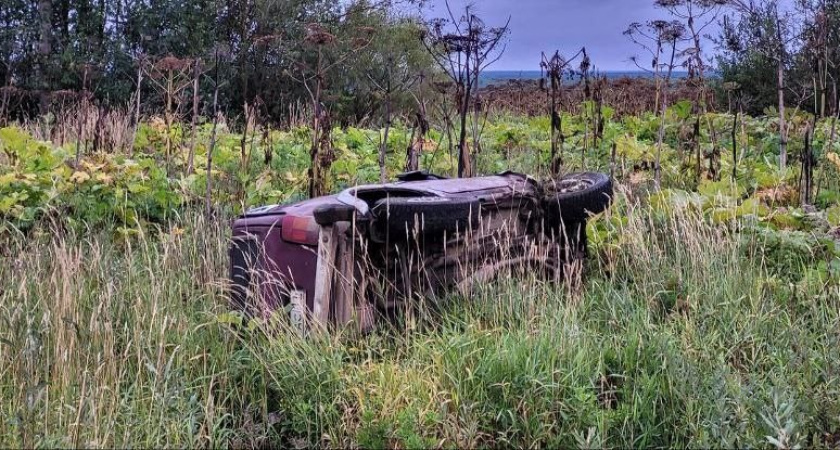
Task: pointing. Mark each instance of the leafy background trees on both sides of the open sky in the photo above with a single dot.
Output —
(105, 46)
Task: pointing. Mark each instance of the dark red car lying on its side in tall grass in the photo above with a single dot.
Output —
(365, 253)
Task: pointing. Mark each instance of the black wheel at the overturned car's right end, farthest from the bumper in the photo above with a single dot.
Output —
(575, 197)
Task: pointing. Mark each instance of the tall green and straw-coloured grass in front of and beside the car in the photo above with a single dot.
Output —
(682, 333)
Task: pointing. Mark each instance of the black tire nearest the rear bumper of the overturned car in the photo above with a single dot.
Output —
(436, 215)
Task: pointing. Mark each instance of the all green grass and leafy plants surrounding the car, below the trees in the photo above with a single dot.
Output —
(708, 316)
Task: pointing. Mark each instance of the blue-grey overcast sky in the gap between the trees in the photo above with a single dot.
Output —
(567, 25)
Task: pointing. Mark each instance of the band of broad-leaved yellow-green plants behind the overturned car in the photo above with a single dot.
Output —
(39, 181)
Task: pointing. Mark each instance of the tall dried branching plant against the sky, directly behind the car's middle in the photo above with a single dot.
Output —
(463, 48)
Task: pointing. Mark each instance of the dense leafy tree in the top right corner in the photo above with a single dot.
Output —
(801, 35)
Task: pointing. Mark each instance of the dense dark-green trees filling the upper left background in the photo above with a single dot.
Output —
(52, 48)
